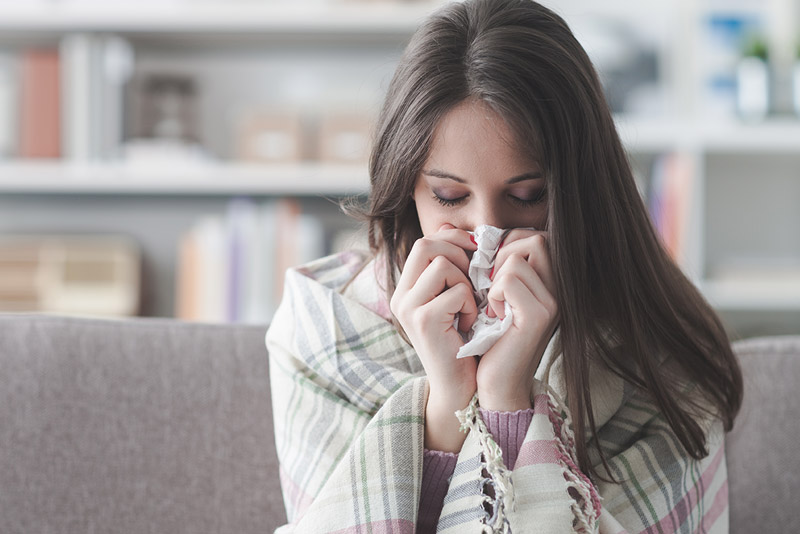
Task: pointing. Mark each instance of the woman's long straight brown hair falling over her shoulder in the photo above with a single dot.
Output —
(613, 274)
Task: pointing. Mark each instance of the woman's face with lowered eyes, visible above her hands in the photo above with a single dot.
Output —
(475, 175)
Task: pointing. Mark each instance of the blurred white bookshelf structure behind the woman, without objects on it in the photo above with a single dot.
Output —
(739, 244)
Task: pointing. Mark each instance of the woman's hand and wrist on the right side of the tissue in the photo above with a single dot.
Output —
(523, 277)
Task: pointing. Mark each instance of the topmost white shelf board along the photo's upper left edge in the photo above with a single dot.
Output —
(231, 17)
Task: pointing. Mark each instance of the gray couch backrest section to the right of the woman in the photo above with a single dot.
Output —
(763, 450)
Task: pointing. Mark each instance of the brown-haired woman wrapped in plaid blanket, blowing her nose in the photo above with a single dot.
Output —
(604, 403)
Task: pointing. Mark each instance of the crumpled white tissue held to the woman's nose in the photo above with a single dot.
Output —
(485, 330)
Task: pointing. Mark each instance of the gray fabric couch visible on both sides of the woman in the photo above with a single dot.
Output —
(156, 426)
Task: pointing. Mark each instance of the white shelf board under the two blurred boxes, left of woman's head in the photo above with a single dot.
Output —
(182, 179)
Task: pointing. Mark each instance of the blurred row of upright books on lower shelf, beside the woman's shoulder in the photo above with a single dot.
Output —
(231, 267)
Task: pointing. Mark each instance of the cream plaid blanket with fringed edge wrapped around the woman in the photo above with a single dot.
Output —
(349, 398)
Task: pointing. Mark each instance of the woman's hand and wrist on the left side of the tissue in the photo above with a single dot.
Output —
(432, 291)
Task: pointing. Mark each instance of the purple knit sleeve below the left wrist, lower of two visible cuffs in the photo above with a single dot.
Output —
(437, 468)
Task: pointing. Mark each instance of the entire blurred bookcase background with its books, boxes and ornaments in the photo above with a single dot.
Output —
(173, 157)
